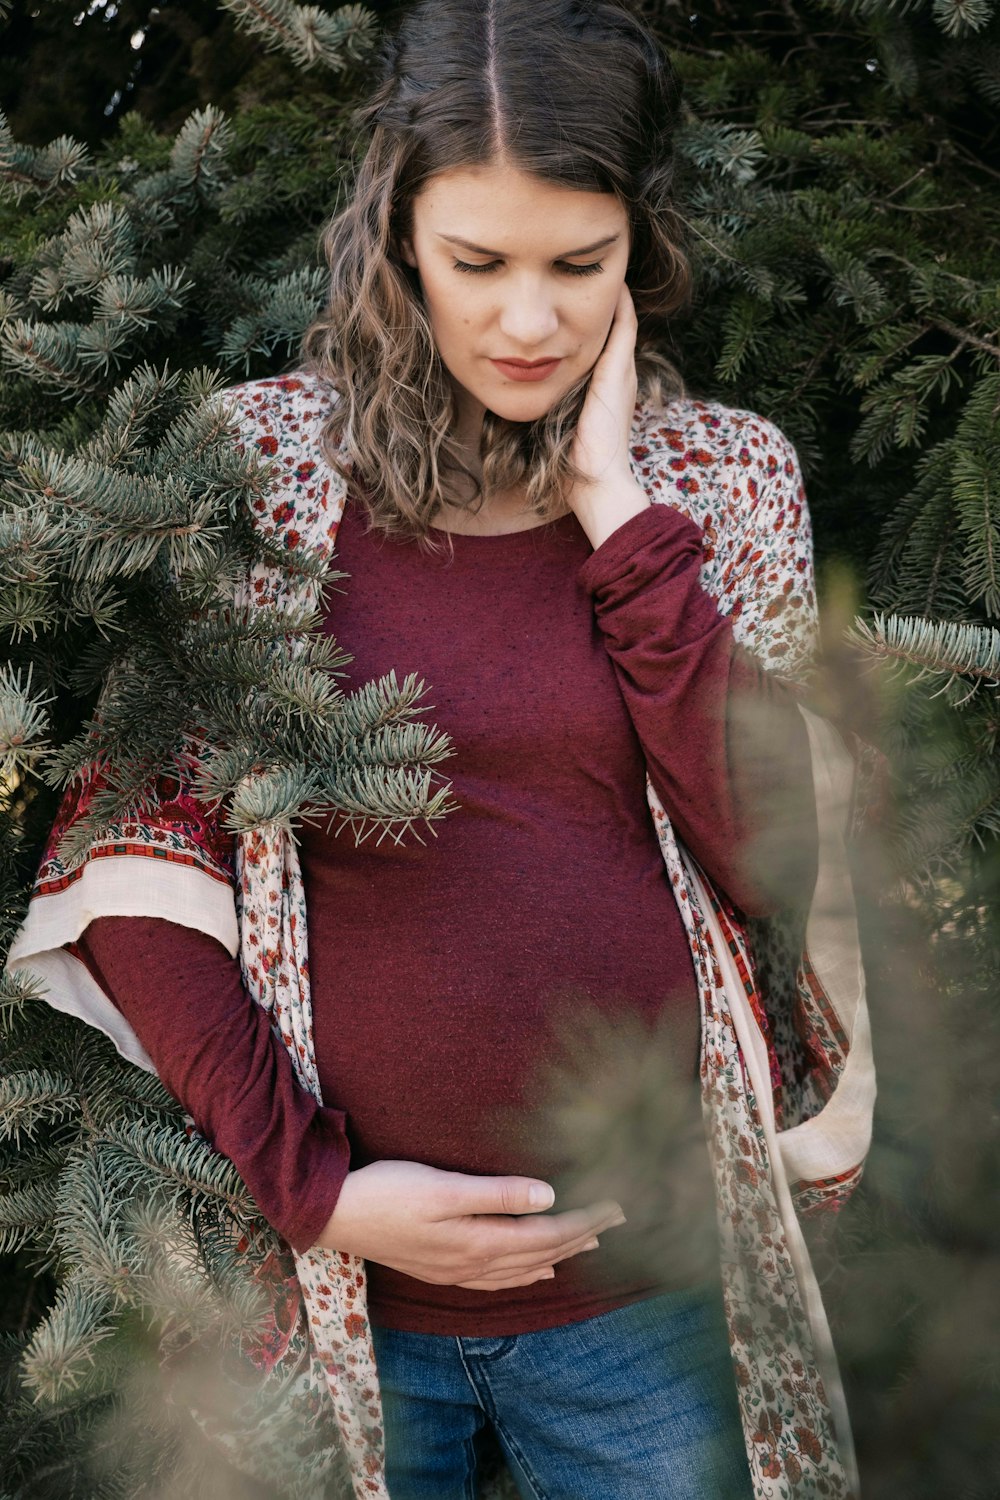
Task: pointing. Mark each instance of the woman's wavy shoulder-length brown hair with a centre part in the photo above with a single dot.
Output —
(575, 92)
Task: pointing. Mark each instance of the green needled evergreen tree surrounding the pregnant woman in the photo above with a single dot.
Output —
(843, 208)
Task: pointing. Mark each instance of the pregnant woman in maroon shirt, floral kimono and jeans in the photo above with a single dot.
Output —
(530, 515)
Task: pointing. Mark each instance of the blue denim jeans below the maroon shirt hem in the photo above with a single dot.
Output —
(633, 1405)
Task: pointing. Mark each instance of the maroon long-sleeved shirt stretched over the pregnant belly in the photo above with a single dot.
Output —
(448, 974)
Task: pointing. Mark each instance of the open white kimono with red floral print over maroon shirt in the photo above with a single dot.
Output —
(786, 1066)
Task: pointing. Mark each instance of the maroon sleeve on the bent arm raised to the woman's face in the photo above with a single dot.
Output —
(725, 743)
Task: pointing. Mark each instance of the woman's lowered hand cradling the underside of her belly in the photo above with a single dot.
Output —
(457, 1229)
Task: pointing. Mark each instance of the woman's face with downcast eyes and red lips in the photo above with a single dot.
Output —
(515, 268)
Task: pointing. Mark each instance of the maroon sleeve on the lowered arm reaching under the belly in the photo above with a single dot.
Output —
(217, 1054)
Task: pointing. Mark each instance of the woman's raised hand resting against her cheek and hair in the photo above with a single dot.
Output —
(609, 494)
